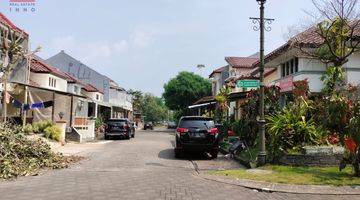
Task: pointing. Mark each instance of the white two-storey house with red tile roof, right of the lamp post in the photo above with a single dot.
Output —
(292, 64)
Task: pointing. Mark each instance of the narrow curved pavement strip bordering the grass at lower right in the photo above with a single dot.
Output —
(283, 188)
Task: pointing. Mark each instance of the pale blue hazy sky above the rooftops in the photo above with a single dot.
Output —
(142, 44)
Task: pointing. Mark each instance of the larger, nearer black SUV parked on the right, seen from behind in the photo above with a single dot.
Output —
(197, 134)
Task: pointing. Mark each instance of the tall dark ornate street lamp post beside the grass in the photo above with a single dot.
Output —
(262, 28)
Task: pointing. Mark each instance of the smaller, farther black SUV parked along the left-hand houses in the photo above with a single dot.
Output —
(118, 127)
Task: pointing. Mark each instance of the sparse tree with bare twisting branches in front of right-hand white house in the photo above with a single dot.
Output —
(339, 32)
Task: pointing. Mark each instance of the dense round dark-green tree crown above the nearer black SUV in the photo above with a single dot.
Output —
(183, 90)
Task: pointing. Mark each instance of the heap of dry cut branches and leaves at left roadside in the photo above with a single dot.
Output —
(21, 156)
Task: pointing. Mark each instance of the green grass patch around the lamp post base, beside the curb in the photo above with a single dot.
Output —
(296, 175)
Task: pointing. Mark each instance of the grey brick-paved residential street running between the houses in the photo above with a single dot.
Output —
(142, 168)
